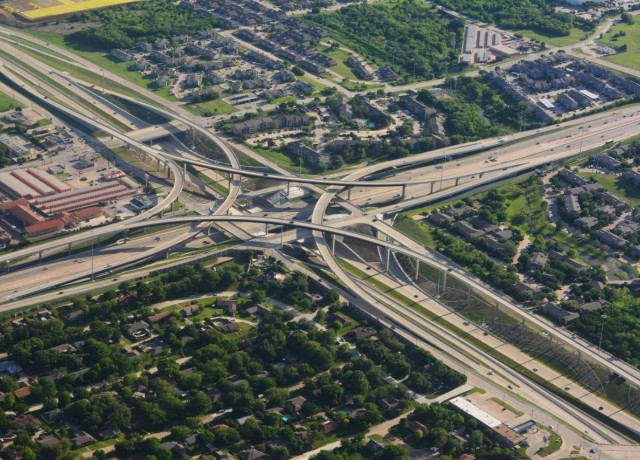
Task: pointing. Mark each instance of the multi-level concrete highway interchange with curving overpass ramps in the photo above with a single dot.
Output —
(468, 168)
